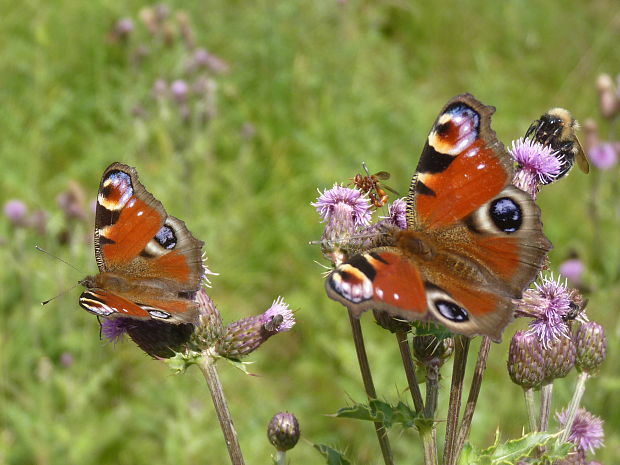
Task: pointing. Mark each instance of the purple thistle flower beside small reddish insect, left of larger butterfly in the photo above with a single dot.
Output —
(352, 200)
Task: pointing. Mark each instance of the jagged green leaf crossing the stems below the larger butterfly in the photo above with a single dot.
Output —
(382, 412)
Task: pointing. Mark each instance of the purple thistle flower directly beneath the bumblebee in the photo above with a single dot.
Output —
(538, 164)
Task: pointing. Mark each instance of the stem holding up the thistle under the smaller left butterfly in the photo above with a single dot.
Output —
(207, 366)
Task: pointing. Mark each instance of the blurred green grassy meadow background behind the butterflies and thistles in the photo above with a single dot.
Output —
(303, 92)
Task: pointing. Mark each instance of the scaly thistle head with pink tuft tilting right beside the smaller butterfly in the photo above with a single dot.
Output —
(246, 335)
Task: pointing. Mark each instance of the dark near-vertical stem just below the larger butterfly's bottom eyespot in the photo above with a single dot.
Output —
(461, 348)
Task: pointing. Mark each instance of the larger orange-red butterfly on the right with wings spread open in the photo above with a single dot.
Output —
(473, 241)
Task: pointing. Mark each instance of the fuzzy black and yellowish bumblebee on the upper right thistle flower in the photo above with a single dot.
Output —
(557, 129)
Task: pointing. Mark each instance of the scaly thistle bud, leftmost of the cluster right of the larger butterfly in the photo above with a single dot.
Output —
(525, 360)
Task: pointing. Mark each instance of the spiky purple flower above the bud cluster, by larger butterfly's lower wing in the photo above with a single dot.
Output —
(548, 303)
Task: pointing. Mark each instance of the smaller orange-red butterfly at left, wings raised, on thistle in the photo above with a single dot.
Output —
(150, 264)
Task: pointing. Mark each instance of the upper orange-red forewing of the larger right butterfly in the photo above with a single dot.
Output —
(462, 166)
